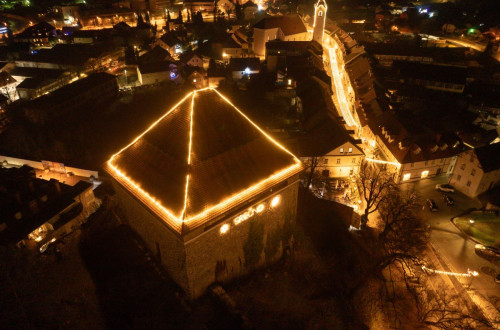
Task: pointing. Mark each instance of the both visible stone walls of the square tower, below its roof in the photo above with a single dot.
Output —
(212, 256)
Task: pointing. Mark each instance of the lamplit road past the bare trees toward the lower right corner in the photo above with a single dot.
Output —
(456, 249)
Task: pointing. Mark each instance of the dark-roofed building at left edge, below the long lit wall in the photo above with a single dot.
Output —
(36, 212)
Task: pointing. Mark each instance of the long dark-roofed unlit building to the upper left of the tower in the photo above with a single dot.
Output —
(86, 92)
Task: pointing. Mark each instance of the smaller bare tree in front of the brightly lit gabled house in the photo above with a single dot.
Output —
(373, 183)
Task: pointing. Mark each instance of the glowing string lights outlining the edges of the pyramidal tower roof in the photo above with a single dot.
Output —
(290, 170)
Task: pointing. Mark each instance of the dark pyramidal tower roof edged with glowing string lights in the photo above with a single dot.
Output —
(200, 159)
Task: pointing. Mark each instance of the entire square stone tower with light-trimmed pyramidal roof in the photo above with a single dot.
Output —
(201, 185)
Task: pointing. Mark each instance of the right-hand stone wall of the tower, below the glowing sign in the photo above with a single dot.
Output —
(213, 256)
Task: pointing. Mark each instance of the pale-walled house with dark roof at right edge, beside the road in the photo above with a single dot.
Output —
(477, 170)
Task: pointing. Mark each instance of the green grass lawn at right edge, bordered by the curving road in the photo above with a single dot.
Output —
(482, 226)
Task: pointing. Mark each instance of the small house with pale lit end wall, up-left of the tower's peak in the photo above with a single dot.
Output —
(154, 73)
